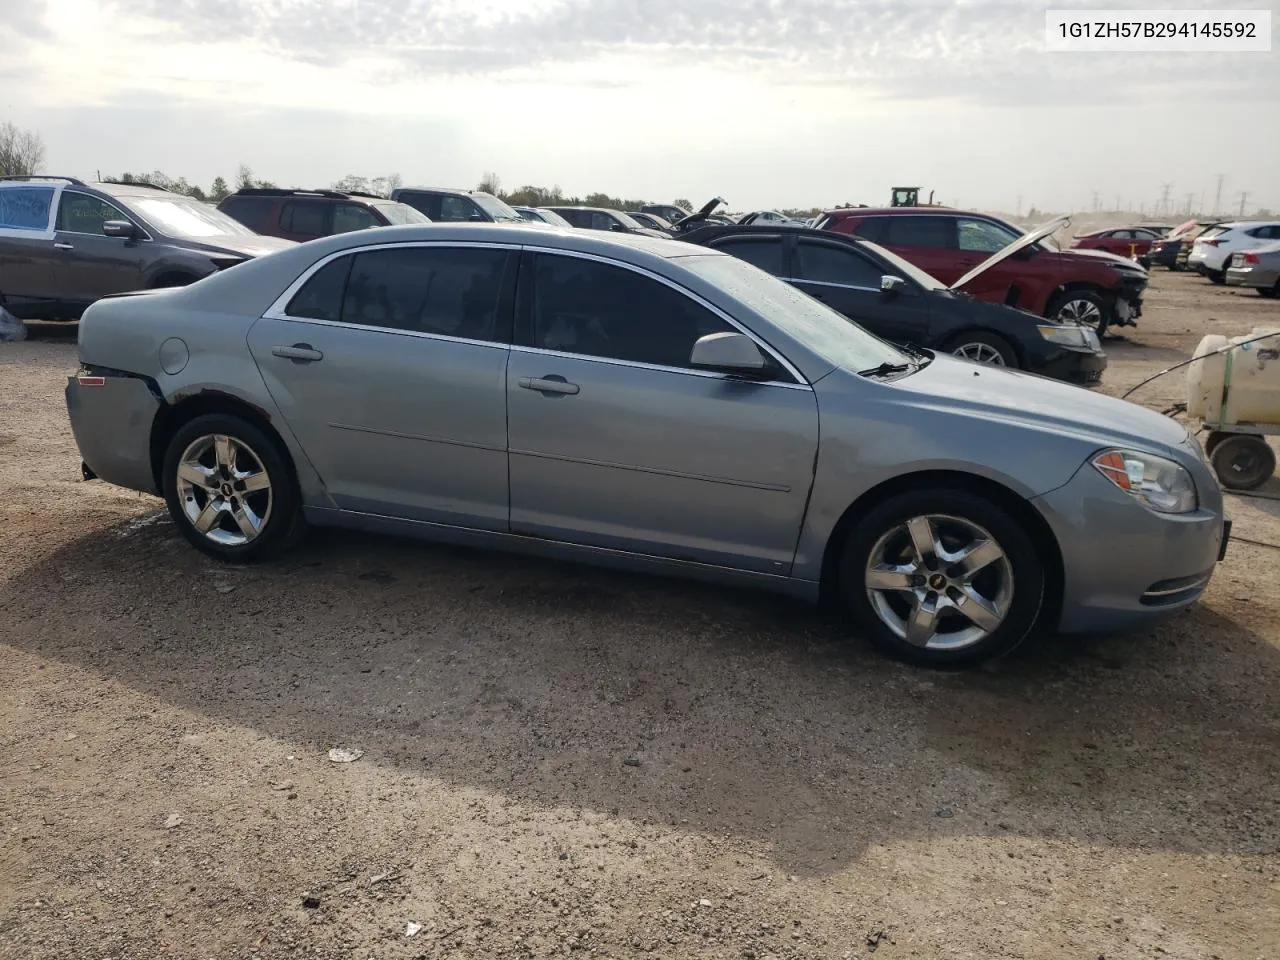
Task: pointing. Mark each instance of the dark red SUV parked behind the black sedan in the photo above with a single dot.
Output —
(1081, 286)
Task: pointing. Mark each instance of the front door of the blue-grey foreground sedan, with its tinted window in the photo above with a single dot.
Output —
(618, 444)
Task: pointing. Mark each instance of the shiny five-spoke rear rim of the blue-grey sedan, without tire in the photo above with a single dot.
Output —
(225, 490)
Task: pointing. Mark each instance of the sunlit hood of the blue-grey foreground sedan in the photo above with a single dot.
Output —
(1013, 396)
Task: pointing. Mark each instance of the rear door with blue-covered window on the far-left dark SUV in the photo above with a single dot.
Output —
(28, 254)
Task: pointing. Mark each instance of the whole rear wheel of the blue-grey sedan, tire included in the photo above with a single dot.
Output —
(278, 508)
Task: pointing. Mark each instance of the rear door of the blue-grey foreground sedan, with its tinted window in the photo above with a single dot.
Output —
(390, 367)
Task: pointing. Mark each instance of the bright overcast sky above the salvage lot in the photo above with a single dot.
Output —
(767, 103)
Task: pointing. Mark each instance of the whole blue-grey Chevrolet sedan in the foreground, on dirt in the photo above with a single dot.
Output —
(648, 405)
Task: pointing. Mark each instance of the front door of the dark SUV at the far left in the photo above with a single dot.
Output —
(93, 266)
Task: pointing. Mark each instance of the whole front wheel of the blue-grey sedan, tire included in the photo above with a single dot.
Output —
(943, 578)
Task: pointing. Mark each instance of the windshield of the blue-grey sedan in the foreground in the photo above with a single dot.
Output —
(825, 332)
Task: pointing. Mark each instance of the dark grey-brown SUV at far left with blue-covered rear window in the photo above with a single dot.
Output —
(66, 244)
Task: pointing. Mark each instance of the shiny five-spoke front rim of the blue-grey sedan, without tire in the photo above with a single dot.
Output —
(940, 583)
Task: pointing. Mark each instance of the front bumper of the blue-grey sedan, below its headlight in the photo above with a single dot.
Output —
(1124, 565)
